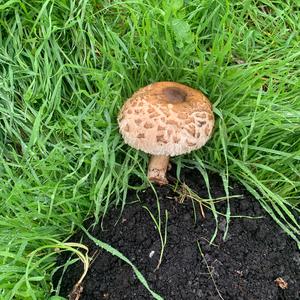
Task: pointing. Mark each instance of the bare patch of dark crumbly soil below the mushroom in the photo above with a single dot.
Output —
(245, 265)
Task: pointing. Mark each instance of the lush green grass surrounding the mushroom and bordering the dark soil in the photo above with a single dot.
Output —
(67, 66)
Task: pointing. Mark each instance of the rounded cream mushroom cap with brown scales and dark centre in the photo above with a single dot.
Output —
(166, 118)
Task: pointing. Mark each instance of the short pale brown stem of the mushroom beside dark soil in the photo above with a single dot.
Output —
(157, 169)
